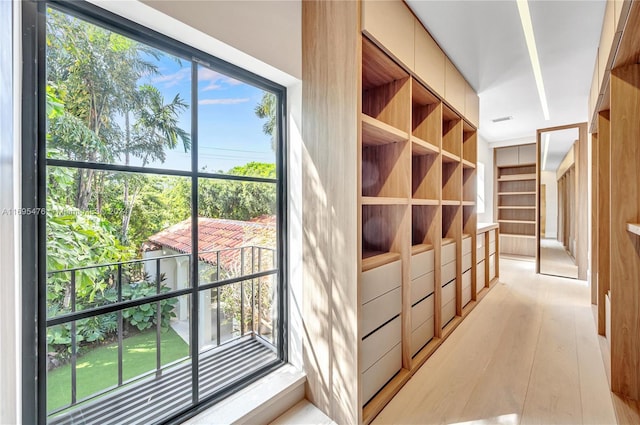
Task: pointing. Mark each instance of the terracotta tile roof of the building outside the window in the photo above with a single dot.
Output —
(215, 234)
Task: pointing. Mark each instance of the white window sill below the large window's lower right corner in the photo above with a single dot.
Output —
(261, 402)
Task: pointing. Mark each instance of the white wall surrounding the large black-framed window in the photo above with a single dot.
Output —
(263, 37)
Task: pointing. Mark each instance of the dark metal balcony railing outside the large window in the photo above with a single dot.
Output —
(119, 286)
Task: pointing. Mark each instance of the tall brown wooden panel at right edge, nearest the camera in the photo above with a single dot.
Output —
(625, 247)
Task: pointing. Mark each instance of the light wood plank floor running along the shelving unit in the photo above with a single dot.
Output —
(527, 354)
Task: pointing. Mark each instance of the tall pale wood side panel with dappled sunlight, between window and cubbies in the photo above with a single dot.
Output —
(330, 216)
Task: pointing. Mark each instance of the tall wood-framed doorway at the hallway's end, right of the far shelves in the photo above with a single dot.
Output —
(560, 193)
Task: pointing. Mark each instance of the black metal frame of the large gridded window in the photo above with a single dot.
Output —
(34, 163)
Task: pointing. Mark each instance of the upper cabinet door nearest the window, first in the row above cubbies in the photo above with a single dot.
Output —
(391, 24)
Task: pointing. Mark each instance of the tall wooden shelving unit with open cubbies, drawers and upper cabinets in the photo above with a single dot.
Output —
(414, 156)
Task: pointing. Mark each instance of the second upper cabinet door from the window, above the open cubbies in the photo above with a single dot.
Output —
(429, 60)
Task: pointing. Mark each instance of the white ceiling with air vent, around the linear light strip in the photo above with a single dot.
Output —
(485, 40)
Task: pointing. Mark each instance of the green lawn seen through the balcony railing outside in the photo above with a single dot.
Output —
(98, 368)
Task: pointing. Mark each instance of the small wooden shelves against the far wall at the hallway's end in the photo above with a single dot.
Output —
(516, 186)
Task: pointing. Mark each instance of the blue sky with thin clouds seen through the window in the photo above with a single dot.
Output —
(230, 133)
